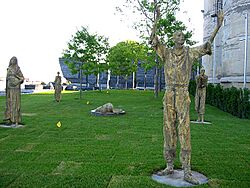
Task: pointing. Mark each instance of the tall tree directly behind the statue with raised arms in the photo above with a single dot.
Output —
(146, 12)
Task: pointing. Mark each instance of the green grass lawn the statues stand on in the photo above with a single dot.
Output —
(121, 151)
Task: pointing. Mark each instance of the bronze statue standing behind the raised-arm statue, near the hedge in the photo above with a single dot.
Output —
(200, 95)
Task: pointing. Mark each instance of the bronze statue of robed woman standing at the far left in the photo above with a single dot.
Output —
(14, 80)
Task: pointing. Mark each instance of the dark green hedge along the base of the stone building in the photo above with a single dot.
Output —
(232, 100)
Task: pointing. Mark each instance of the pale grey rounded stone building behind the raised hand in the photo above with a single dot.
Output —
(229, 63)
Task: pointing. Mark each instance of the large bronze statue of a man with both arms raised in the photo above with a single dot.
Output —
(178, 63)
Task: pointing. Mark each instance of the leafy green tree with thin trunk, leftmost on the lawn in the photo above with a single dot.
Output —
(85, 53)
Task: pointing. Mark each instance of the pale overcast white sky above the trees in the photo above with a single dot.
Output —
(37, 31)
